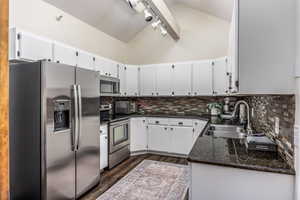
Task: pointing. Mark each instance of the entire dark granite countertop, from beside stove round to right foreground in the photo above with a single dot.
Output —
(224, 151)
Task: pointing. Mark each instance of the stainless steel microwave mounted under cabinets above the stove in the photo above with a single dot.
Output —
(109, 86)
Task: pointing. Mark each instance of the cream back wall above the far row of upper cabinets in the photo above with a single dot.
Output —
(202, 37)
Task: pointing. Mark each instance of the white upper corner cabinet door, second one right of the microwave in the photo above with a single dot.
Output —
(132, 80)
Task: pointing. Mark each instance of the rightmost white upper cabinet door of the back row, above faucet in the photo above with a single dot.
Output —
(220, 77)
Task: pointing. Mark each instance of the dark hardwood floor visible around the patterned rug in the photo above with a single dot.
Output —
(110, 177)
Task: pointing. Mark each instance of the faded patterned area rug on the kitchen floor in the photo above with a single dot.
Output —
(151, 180)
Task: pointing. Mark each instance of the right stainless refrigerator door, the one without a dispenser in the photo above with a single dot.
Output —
(88, 152)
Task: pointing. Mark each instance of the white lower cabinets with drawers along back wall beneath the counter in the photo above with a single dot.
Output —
(169, 135)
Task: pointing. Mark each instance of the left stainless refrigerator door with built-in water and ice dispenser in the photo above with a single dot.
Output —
(58, 155)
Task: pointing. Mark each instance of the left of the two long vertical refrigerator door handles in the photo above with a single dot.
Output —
(75, 126)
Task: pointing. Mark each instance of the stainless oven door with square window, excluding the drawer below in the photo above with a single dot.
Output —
(118, 135)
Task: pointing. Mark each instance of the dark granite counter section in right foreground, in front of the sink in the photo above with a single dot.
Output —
(233, 153)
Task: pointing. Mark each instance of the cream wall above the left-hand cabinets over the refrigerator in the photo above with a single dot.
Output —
(39, 17)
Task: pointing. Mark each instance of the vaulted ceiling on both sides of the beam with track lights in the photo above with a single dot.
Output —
(115, 18)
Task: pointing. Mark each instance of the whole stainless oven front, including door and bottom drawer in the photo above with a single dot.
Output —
(119, 141)
